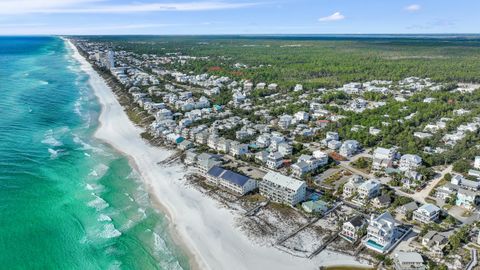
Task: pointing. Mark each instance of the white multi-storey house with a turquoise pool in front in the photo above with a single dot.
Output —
(382, 232)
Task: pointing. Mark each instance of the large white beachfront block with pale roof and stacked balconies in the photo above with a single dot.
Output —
(282, 189)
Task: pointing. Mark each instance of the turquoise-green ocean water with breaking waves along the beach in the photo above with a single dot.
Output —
(67, 201)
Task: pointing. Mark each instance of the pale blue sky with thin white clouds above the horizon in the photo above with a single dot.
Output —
(23, 17)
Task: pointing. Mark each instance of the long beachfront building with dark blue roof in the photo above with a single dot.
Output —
(231, 181)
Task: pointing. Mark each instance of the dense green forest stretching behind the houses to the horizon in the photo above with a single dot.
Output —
(317, 61)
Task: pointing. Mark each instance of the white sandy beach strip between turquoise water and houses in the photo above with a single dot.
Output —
(205, 228)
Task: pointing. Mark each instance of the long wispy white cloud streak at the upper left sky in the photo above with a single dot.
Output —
(101, 6)
